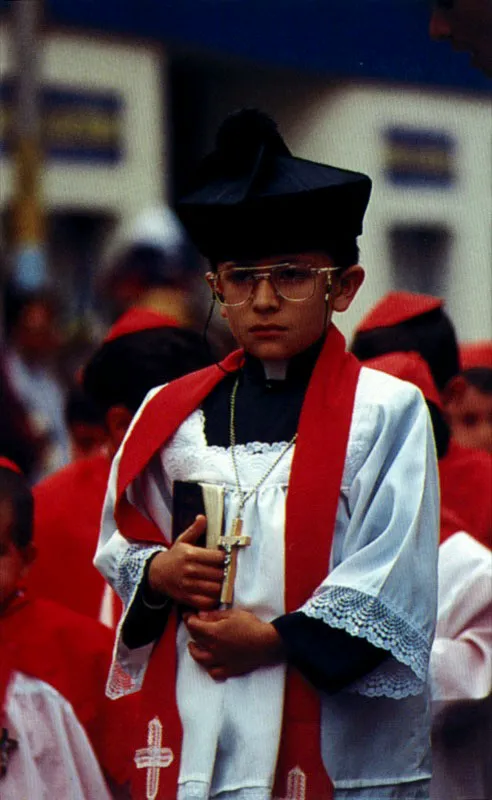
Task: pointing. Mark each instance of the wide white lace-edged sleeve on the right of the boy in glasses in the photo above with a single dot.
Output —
(383, 581)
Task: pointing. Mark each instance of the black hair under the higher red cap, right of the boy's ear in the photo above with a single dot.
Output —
(432, 335)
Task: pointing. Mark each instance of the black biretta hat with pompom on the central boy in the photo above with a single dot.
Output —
(251, 198)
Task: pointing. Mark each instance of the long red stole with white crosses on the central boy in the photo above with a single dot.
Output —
(312, 501)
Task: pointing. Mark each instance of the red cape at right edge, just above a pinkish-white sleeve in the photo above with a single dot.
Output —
(466, 493)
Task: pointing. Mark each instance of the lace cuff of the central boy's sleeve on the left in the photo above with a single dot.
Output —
(128, 667)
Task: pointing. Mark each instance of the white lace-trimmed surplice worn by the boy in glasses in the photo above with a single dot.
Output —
(381, 586)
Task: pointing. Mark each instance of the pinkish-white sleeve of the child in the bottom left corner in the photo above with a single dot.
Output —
(53, 757)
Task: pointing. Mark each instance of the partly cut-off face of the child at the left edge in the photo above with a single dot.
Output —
(14, 562)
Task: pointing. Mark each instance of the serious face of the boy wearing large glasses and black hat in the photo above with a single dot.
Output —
(273, 328)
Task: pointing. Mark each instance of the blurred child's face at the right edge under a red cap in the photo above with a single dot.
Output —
(470, 417)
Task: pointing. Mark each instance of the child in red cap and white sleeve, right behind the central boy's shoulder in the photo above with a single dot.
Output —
(461, 656)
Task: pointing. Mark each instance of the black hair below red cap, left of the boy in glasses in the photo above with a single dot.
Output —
(123, 370)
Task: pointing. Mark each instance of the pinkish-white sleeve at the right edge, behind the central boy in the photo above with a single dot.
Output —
(461, 658)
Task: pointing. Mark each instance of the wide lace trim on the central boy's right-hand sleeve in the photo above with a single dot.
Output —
(370, 618)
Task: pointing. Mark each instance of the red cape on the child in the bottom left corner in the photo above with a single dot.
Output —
(71, 653)
